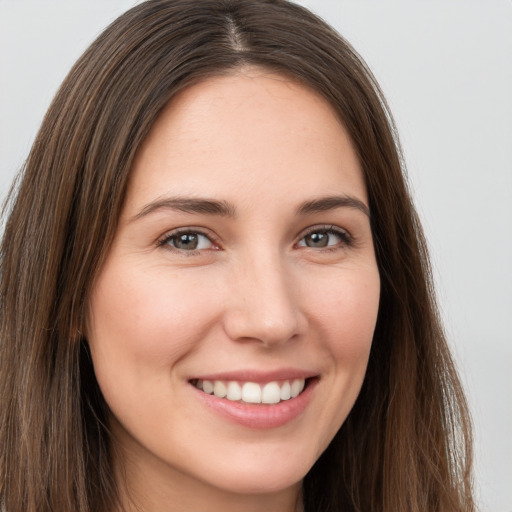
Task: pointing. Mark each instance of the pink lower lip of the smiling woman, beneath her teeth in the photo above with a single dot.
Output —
(260, 416)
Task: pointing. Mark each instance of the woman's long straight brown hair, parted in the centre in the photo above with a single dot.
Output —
(406, 445)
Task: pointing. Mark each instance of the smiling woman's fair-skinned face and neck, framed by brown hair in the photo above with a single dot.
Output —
(272, 279)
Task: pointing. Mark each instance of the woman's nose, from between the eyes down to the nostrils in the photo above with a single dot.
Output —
(264, 303)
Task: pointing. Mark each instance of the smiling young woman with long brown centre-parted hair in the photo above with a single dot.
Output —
(215, 290)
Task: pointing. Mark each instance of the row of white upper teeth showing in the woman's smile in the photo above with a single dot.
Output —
(252, 392)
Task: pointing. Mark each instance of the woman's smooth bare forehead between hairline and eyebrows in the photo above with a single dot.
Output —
(252, 129)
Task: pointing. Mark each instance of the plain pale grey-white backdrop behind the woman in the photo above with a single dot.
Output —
(446, 68)
